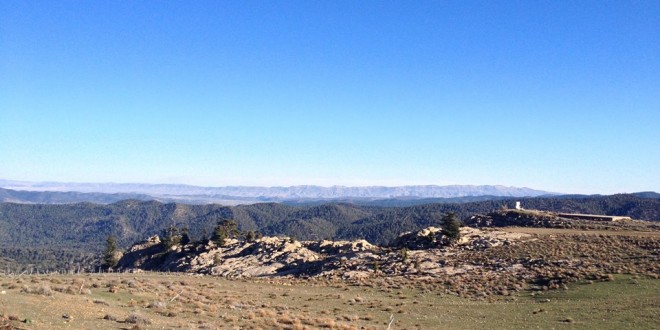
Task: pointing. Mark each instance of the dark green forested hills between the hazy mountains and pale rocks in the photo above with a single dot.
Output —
(35, 228)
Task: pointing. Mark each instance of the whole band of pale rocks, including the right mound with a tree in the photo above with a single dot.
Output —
(278, 256)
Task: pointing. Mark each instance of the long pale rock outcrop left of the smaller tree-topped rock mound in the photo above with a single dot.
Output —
(267, 256)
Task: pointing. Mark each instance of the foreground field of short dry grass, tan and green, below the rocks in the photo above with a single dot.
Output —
(177, 301)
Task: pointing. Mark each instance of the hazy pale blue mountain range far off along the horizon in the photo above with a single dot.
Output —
(59, 193)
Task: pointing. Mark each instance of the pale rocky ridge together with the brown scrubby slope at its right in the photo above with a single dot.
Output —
(483, 262)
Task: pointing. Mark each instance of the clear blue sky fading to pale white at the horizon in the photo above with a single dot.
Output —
(556, 95)
